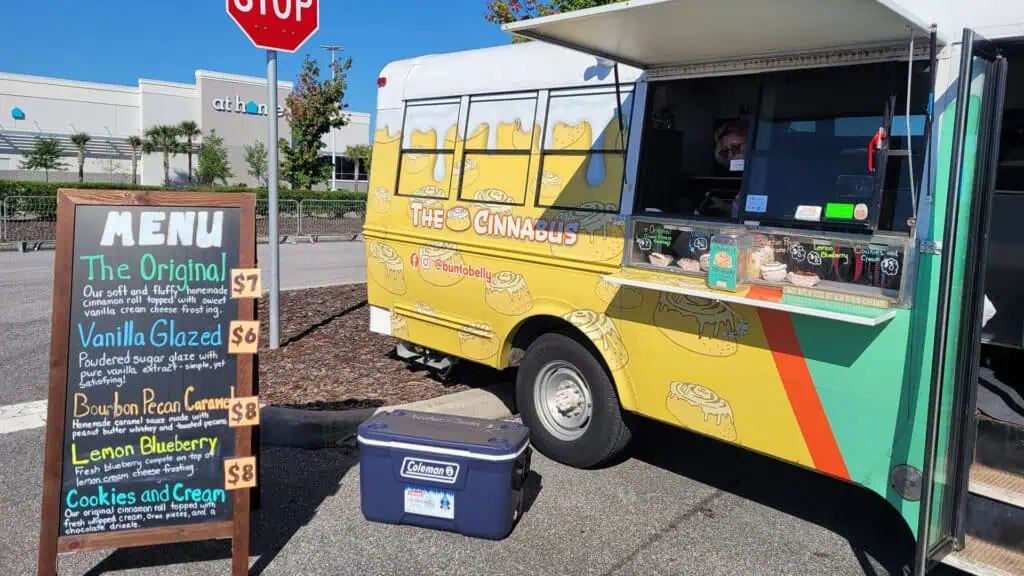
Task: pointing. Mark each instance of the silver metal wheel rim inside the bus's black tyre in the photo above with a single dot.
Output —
(564, 401)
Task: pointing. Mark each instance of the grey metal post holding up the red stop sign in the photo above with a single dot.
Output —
(275, 241)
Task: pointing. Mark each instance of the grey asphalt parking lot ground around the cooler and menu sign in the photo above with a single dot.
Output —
(678, 504)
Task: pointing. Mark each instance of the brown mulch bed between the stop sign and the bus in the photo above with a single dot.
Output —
(329, 359)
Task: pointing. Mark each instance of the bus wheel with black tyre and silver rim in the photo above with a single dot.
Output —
(570, 403)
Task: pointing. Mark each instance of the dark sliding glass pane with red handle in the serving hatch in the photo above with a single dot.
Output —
(829, 148)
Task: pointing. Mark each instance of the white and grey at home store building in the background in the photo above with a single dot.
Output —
(233, 106)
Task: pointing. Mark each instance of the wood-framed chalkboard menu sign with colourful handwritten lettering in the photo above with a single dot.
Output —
(142, 376)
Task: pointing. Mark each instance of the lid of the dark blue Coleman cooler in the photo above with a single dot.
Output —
(446, 432)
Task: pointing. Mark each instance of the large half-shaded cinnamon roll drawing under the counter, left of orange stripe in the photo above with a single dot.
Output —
(701, 325)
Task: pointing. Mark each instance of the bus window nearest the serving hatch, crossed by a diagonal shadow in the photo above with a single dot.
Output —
(583, 155)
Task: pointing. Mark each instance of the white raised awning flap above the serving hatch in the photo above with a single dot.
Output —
(659, 33)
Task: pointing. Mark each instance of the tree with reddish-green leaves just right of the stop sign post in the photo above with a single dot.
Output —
(314, 109)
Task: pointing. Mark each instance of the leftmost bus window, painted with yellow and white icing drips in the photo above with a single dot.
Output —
(428, 149)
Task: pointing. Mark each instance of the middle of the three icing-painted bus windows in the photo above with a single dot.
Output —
(496, 160)
